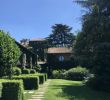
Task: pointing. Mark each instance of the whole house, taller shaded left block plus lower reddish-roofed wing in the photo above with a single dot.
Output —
(49, 54)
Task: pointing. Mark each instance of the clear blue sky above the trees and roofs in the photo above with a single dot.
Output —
(34, 18)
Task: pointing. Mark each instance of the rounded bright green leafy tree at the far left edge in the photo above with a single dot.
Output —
(9, 54)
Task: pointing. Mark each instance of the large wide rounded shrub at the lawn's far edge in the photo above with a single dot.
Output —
(77, 74)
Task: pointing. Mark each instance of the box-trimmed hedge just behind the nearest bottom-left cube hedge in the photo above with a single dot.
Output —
(30, 82)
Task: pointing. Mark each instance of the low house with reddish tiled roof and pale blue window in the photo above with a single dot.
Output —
(59, 54)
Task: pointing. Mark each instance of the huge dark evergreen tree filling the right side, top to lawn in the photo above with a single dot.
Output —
(93, 42)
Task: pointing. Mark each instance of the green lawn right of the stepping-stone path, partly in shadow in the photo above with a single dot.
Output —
(72, 90)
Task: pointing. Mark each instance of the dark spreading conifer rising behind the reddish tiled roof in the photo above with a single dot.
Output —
(61, 36)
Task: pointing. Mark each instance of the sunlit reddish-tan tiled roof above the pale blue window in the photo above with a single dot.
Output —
(59, 50)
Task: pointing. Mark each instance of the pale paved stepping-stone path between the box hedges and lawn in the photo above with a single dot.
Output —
(39, 95)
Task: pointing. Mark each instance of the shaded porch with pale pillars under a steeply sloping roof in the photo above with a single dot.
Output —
(27, 58)
